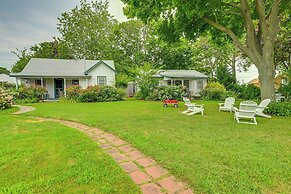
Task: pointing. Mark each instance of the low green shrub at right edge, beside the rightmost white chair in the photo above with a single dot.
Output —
(279, 108)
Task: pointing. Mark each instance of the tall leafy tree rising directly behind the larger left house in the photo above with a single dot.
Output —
(87, 30)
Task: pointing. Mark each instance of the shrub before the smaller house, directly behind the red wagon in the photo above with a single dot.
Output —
(171, 93)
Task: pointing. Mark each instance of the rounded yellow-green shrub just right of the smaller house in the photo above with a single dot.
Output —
(214, 91)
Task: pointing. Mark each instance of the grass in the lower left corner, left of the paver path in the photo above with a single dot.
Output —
(46, 157)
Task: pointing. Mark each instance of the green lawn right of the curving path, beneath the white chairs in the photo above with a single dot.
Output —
(213, 153)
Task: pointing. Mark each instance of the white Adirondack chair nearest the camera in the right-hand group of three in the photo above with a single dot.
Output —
(246, 111)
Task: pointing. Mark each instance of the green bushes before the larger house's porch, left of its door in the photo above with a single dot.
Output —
(31, 93)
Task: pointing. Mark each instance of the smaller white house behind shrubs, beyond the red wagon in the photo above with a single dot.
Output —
(193, 80)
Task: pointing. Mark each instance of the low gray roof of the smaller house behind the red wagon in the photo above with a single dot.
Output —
(181, 74)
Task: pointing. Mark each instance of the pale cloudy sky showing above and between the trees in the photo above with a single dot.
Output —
(24, 23)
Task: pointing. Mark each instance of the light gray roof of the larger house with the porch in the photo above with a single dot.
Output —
(59, 67)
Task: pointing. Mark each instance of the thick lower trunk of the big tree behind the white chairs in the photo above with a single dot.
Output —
(266, 78)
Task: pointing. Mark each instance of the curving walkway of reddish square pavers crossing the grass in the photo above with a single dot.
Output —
(144, 171)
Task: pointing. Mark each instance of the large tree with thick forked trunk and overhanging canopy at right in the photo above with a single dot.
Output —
(255, 21)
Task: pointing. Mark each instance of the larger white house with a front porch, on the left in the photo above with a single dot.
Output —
(58, 74)
